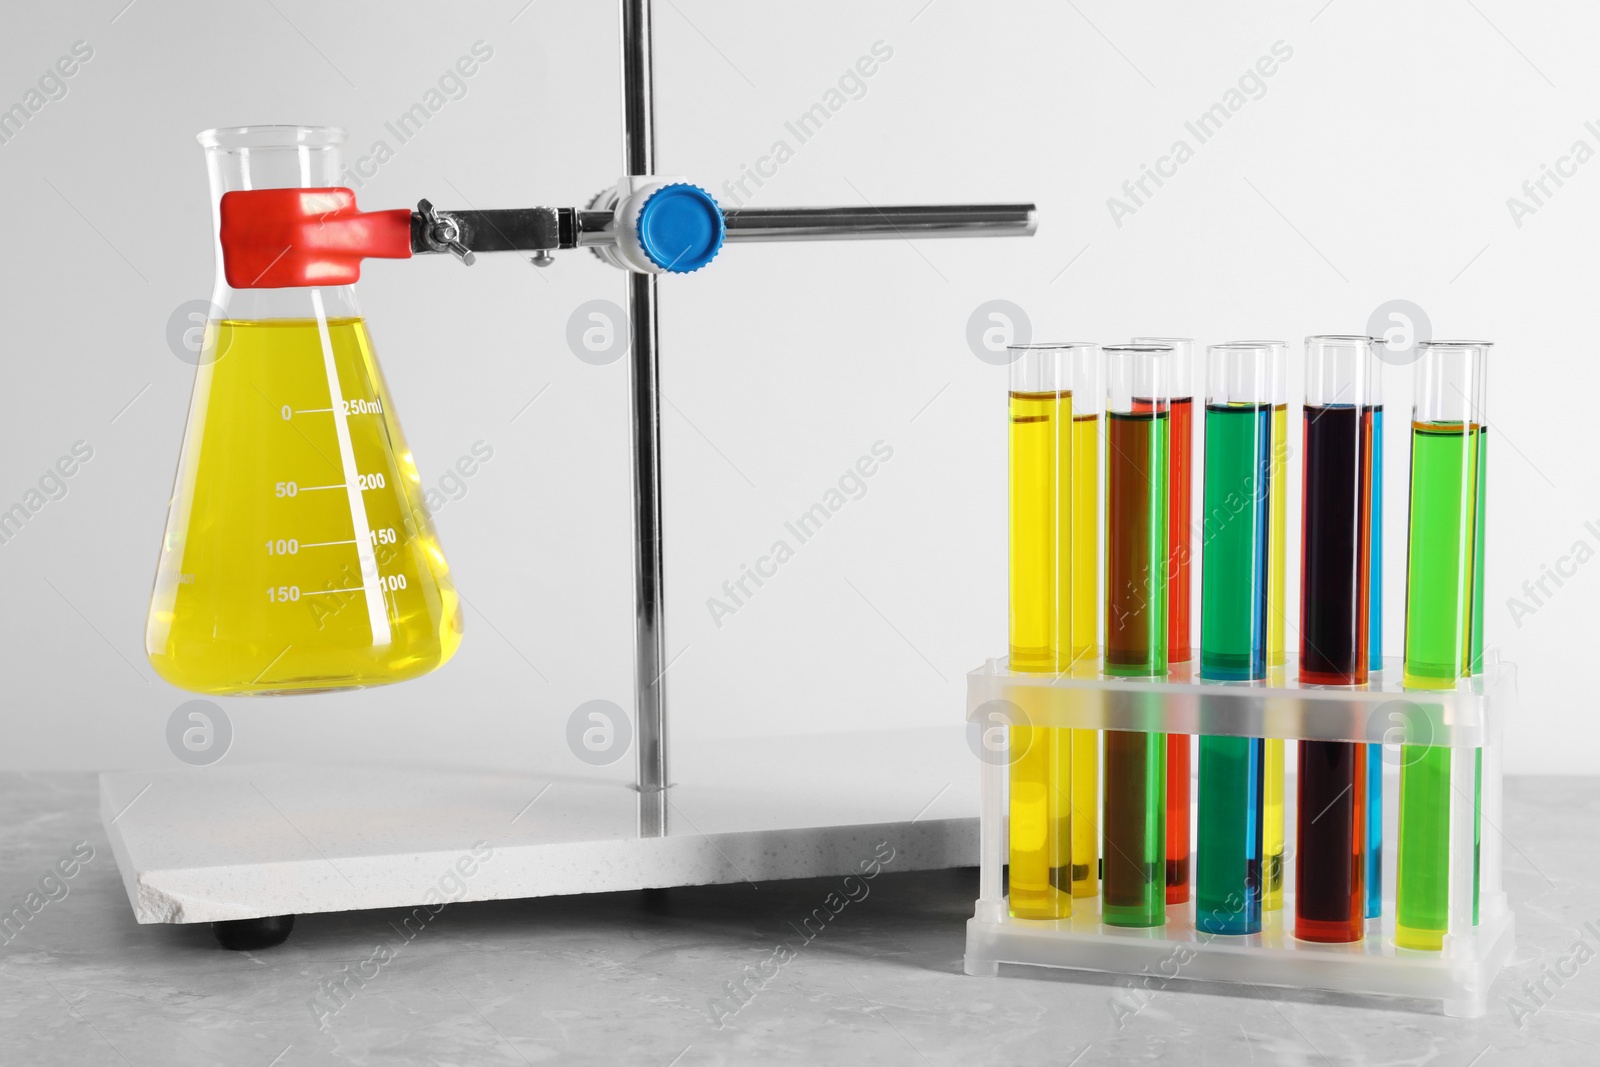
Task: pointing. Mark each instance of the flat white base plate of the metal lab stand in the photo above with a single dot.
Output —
(226, 844)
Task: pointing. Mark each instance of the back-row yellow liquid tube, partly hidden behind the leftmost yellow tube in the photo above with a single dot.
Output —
(1086, 645)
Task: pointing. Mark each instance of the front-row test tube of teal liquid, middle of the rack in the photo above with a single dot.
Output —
(1236, 526)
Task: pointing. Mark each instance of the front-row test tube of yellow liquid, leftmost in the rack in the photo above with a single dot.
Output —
(1041, 505)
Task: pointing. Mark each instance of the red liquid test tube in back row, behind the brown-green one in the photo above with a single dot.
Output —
(1180, 538)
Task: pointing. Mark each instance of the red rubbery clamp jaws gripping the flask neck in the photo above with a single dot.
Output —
(276, 239)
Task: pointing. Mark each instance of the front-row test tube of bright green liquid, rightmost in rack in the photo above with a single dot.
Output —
(1444, 615)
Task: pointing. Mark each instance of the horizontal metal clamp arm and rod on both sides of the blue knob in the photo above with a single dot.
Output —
(546, 230)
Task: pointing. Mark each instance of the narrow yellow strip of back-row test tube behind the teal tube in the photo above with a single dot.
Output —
(1278, 585)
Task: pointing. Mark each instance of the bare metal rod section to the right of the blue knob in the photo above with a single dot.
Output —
(842, 225)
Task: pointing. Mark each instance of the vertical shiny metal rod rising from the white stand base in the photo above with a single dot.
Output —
(650, 700)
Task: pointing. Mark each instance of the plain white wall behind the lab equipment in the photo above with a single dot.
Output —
(1377, 166)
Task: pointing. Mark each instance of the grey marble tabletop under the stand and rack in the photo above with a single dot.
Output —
(646, 978)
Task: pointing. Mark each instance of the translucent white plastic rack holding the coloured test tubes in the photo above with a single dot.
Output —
(1465, 721)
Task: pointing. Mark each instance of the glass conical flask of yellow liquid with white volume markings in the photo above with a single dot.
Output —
(298, 554)
